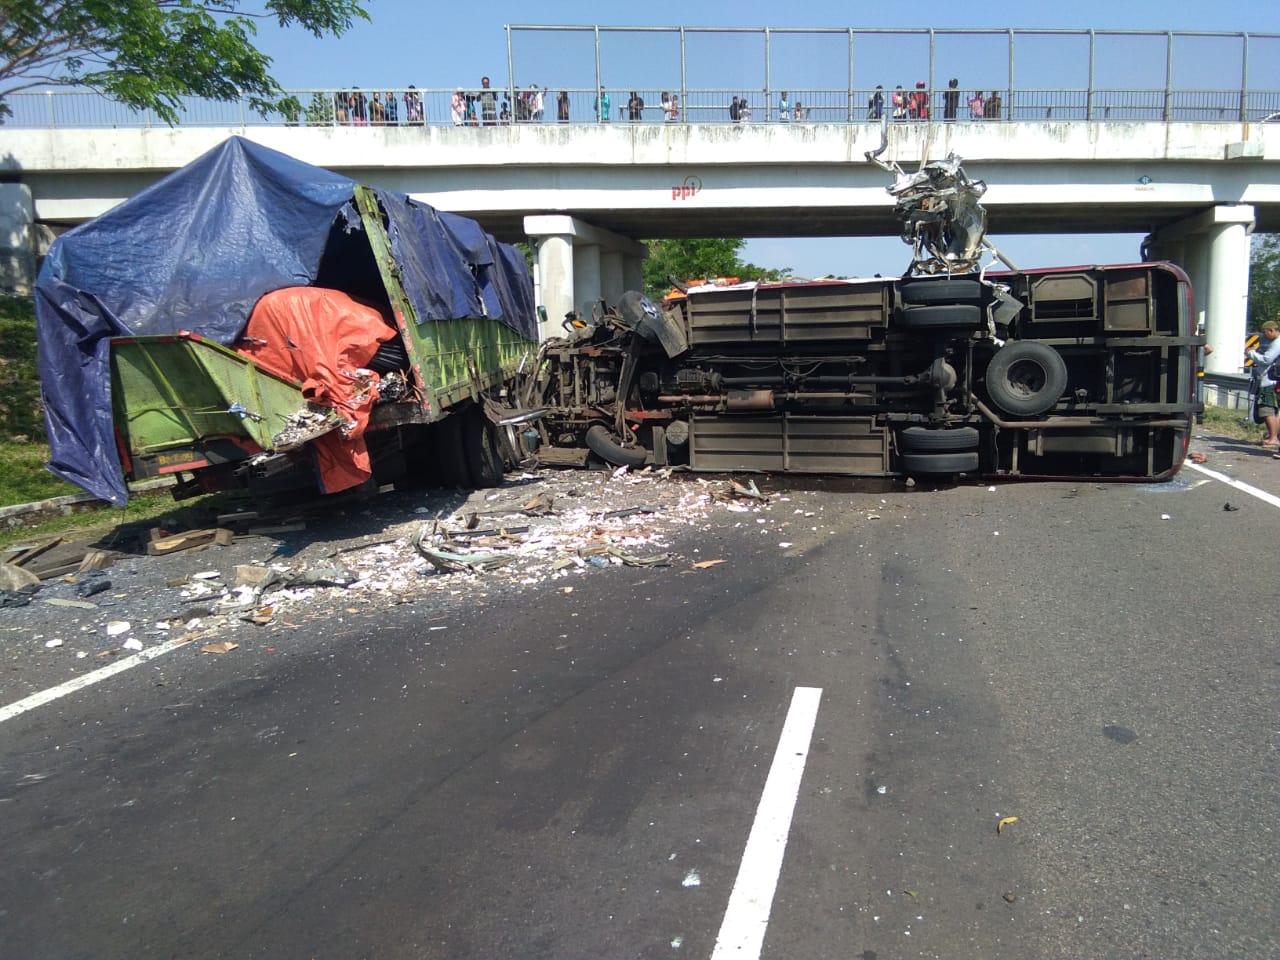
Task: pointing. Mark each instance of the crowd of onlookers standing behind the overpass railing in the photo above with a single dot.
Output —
(488, 107)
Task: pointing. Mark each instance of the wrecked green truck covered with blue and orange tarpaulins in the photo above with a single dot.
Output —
(255, 322)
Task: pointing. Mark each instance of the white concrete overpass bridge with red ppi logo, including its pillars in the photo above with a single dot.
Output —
(586, 194)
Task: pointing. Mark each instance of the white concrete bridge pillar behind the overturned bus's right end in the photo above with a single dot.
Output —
(1215, 248)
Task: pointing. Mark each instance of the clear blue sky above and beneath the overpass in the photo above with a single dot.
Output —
(445, 45)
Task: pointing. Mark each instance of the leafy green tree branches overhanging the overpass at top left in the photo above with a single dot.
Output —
(150, 54)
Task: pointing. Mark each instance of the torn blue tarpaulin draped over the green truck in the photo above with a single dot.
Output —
(196, 250)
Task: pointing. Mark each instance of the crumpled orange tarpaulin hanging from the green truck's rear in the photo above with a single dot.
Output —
(323, 339)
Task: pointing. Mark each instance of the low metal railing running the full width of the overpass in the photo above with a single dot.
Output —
(330, 108)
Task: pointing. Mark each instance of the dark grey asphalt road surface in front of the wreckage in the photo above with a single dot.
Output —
(538, 774)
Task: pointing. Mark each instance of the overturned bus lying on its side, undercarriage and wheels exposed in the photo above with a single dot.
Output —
(952, 369)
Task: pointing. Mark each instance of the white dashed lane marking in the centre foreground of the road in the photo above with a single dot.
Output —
(749, 906)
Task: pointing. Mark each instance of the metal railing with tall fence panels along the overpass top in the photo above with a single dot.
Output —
(1095, 100)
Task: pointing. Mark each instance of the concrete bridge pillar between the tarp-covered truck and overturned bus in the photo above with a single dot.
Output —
(579, 264)
